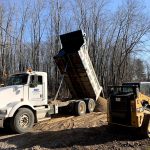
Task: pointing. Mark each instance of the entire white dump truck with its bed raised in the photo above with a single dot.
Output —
(24, 98)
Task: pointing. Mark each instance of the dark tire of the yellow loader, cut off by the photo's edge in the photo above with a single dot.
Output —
(145, 128)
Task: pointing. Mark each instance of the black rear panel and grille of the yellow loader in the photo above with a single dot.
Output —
(120, 105)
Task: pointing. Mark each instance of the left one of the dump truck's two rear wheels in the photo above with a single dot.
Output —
(80, 108)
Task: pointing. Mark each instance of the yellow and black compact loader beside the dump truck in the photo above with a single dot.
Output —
(129, 104)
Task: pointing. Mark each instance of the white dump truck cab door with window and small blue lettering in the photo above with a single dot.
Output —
(36, 88)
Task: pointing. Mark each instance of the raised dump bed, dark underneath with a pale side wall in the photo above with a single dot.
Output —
(74, 62)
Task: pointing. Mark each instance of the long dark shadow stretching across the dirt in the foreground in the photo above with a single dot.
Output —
(70, 137)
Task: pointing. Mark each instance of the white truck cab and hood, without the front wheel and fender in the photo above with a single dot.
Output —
(26, 86)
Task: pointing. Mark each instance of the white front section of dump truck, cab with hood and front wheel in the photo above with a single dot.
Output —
(23, 100)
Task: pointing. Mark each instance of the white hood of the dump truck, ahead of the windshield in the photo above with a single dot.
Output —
(10, 94)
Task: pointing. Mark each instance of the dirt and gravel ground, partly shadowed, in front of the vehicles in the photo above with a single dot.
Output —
(88, 132)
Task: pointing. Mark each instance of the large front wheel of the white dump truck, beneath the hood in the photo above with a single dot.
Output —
(23, 120)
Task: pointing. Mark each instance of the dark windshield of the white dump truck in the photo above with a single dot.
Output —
(19, 79)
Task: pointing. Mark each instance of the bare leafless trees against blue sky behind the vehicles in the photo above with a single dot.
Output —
(29, 37)
